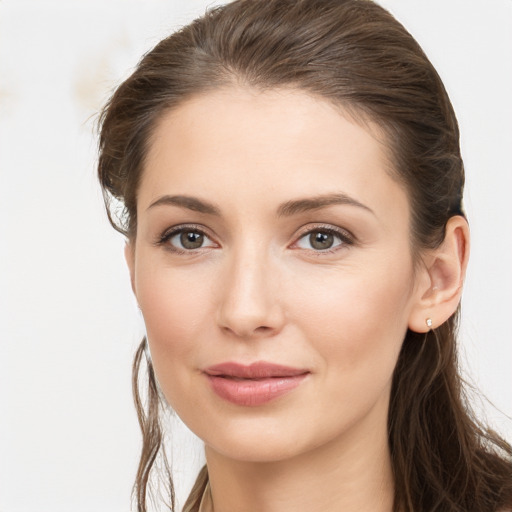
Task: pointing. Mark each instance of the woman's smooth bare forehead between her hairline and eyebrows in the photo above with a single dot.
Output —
(238, 141)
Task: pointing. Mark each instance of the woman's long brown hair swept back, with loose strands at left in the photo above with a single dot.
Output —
(354, 54)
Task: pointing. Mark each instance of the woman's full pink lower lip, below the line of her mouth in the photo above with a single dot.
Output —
(253, 392)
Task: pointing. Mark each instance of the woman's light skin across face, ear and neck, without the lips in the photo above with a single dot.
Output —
(298, 253)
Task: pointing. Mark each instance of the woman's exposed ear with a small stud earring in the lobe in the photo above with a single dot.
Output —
(440, 287)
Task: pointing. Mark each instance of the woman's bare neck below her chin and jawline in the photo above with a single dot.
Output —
(352, 473)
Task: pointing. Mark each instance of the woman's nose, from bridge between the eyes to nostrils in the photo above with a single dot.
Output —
(250, 305)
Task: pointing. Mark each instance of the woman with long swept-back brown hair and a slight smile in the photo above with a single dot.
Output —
(291, 188)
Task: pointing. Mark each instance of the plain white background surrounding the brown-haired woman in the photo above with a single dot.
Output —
(69, 439)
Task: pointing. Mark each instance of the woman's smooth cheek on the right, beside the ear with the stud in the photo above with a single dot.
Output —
(359, 320)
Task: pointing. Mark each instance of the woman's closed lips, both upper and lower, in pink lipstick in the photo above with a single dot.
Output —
(255, 384)
